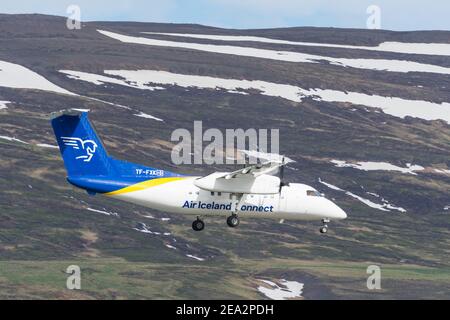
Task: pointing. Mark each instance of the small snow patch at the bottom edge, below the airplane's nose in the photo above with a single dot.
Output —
(285, 289)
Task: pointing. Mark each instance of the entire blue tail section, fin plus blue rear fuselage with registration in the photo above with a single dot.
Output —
(88, 164)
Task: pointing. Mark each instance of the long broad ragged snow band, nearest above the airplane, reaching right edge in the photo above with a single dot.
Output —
(398, 107)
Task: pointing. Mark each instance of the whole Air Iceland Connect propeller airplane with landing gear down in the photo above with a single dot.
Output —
(253, 191)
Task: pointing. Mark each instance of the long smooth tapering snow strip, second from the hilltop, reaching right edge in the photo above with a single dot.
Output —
(289, 56)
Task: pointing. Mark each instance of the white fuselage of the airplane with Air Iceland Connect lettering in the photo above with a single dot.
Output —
(295, 201)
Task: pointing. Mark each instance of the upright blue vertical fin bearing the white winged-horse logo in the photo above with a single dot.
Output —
(82, 151)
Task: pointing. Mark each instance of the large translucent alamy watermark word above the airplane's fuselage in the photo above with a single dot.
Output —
(214, 146)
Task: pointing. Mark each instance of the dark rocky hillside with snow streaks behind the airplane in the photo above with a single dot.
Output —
(365, 114)
